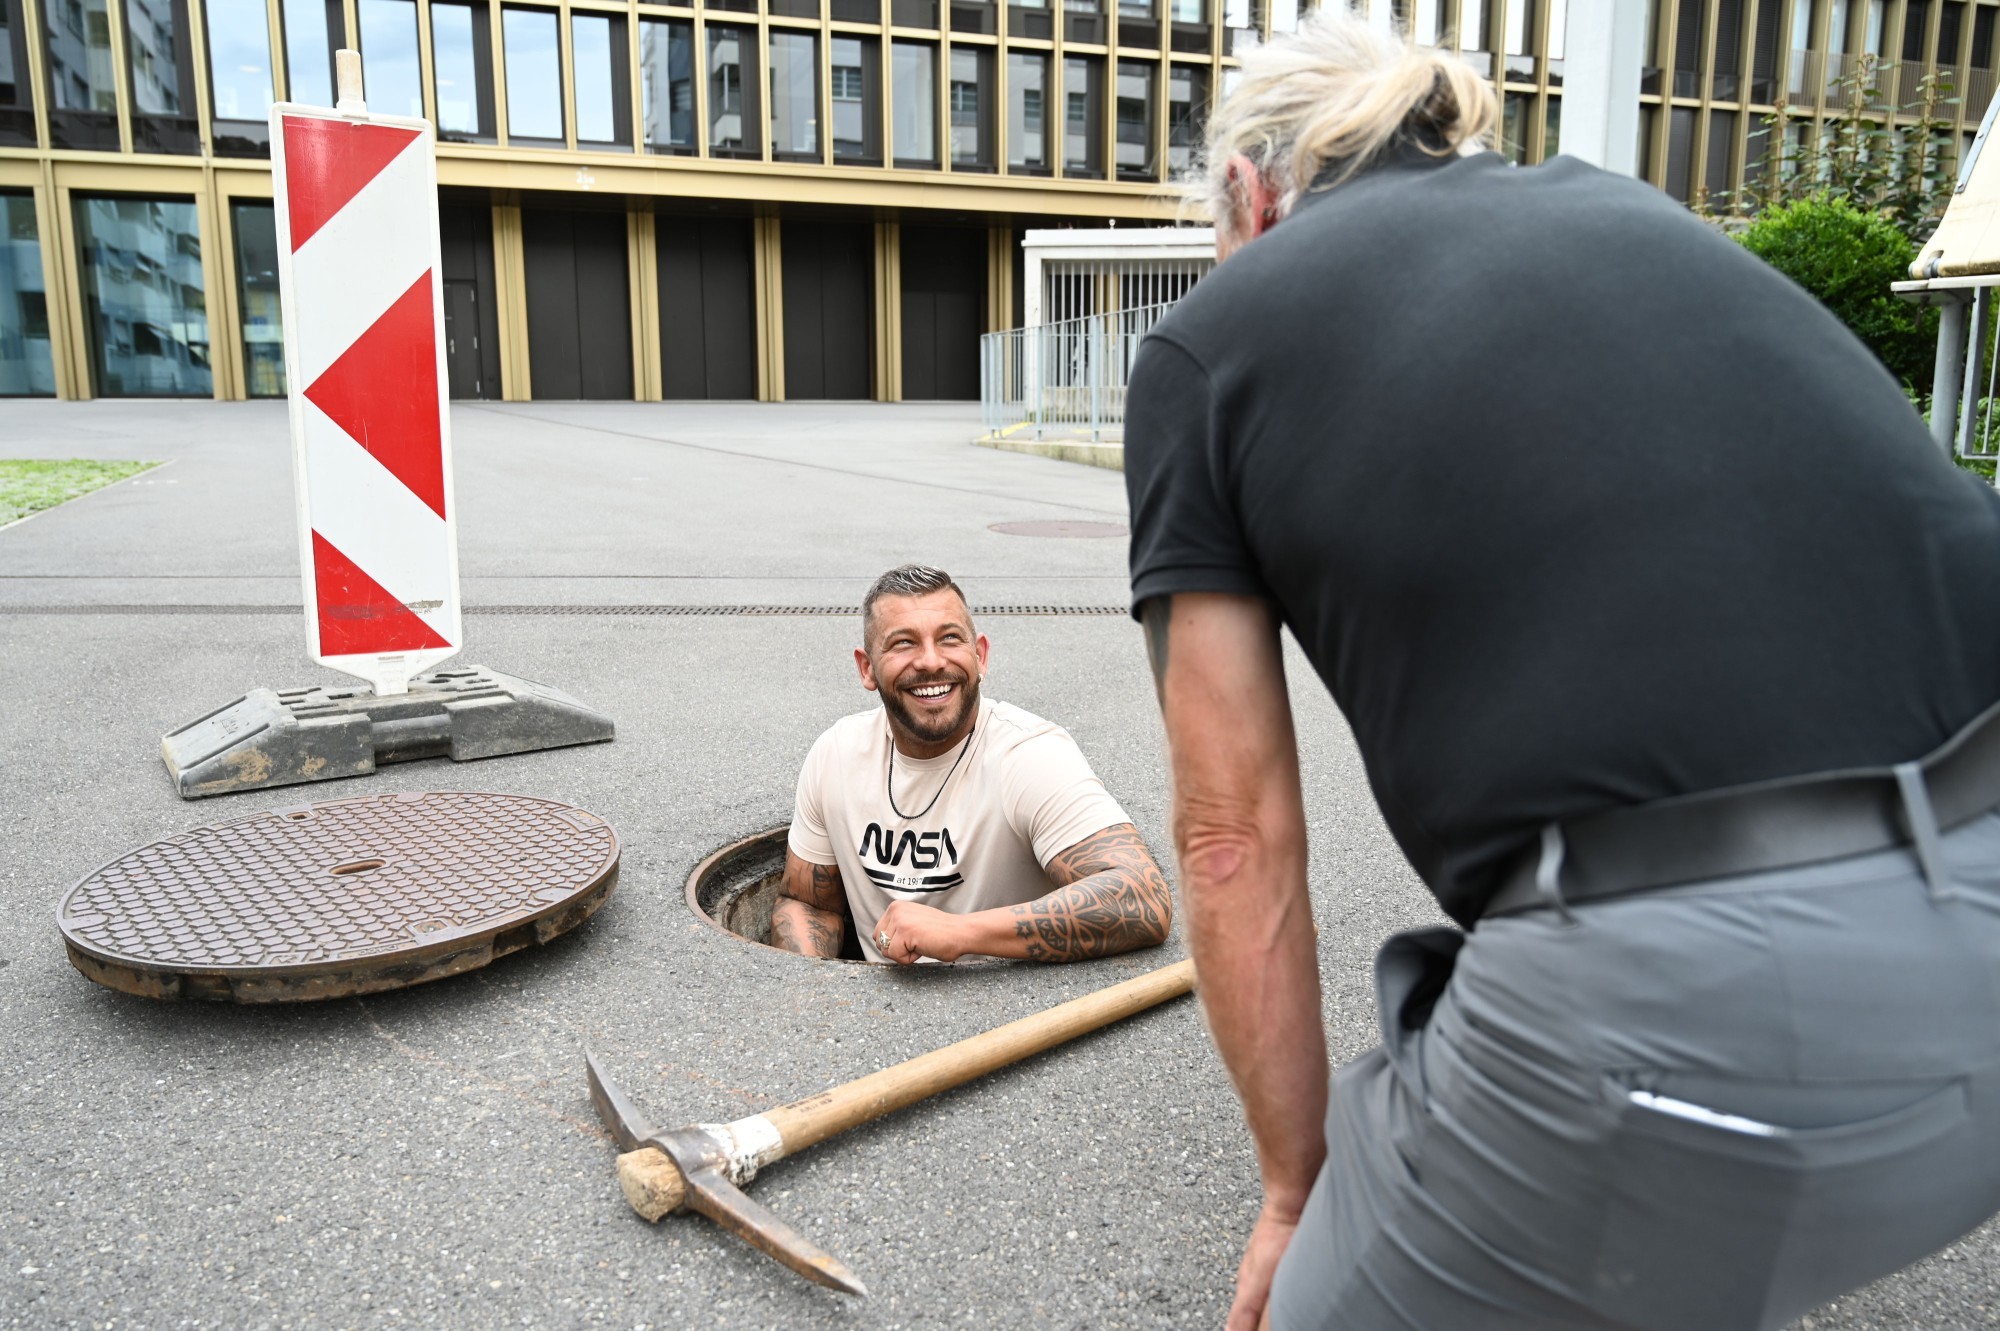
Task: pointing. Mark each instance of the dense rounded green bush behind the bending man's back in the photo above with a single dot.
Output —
(1847, 259)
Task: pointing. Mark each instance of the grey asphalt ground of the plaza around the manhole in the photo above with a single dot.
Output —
(429, 1158)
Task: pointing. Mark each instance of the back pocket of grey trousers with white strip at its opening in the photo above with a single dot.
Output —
(1717, 1220)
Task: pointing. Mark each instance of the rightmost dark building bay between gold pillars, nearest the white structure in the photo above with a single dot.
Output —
(943, 299)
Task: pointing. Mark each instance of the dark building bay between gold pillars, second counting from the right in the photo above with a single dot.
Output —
(829, 309)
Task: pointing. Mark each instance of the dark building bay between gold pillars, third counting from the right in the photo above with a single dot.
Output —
(707, 307)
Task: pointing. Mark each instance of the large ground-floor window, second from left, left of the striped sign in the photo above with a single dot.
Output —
(145, 307)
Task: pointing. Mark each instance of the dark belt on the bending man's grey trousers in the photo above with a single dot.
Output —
(1763, 826)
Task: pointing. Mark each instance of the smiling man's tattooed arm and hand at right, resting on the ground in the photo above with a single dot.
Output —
(1111, 896)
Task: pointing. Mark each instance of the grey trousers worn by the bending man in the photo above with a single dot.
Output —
(1503, 1164)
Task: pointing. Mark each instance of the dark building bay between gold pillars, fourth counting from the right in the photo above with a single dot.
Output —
(579, 305)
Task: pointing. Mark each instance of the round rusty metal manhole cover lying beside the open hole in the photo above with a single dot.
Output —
(349, 896)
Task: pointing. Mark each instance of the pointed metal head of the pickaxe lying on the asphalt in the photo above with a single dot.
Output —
(715, 1160)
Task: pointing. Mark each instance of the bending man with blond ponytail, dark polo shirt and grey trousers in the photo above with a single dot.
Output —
(1647, 597)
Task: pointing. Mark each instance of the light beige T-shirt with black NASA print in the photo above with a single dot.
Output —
(1021, 796)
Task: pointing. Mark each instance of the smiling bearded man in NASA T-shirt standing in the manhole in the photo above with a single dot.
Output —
(947, 824)
